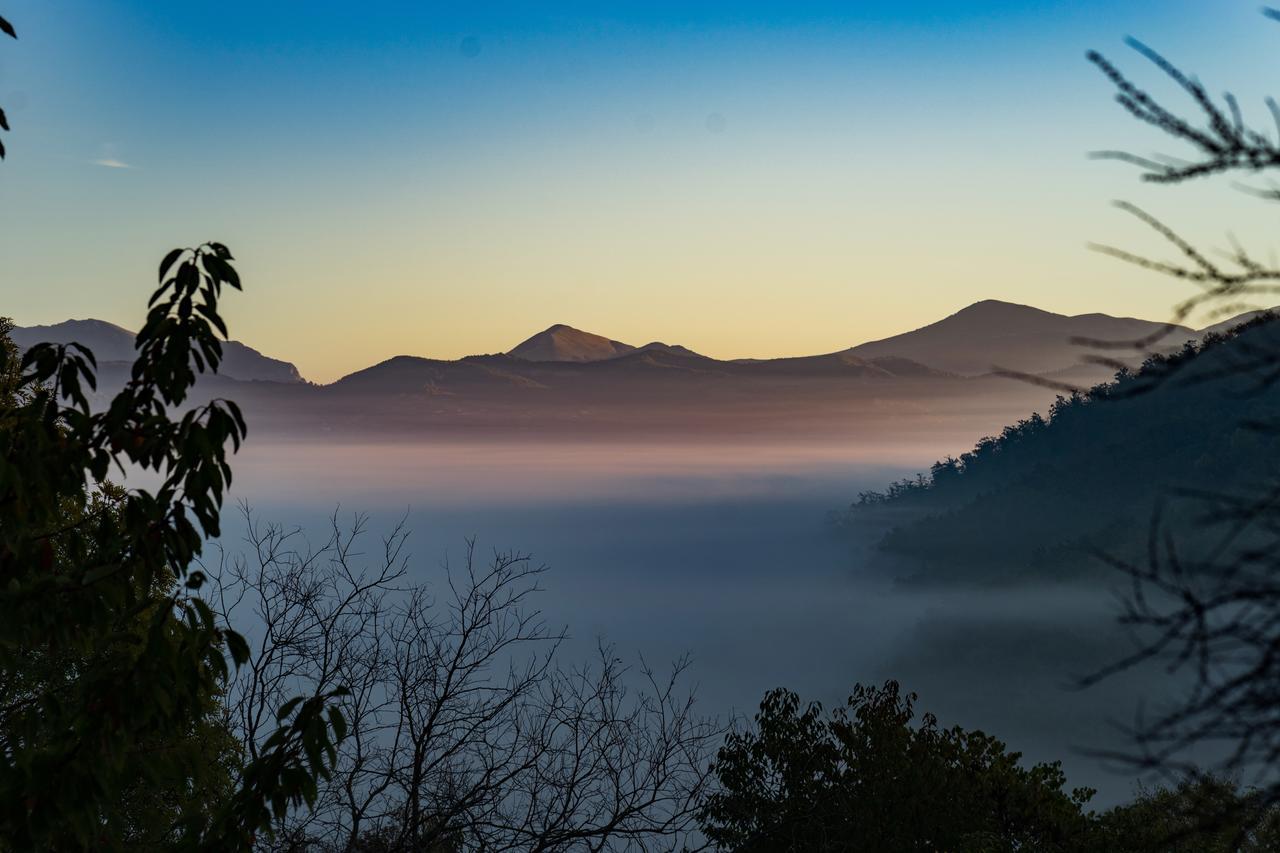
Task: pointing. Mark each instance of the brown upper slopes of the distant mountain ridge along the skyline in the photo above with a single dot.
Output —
(972, 343)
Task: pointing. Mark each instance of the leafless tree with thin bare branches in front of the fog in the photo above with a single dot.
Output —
(464, 732)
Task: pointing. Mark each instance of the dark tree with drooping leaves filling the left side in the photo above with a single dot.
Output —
(108, 656)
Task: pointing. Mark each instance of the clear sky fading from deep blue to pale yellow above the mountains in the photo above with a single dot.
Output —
(747, 180)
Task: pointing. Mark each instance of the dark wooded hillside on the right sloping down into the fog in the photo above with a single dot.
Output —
(1048, 491)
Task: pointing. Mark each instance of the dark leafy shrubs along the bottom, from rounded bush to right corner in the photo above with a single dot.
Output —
(872, 777)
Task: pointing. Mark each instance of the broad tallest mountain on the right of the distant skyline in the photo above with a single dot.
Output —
(1017, 337)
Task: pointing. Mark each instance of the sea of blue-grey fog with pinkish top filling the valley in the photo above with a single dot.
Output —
(724, 553)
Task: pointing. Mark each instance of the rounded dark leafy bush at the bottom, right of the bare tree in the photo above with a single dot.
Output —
(871, 778)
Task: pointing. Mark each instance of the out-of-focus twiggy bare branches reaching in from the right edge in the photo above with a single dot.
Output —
(1206, 596)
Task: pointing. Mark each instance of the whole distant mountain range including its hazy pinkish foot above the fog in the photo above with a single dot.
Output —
(930, 385)
